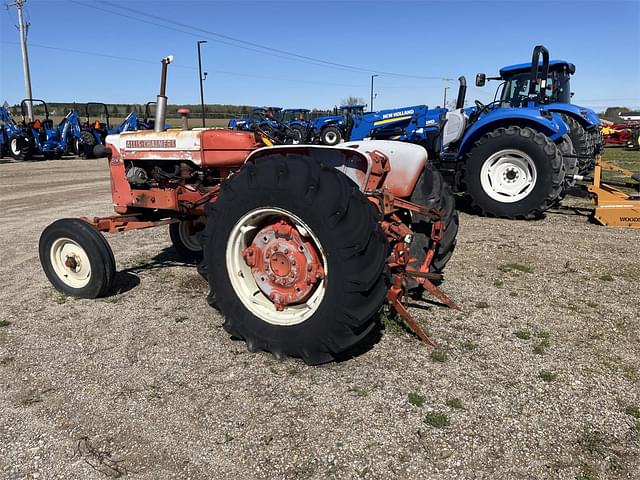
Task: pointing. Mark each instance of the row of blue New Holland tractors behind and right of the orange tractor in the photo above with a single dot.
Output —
(514, 157)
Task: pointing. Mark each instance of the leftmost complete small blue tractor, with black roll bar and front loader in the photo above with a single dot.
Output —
(40, 136)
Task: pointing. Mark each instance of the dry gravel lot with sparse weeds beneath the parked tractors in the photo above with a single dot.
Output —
(536, 377)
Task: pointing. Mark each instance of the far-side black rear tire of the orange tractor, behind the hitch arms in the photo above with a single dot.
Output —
(433, 192)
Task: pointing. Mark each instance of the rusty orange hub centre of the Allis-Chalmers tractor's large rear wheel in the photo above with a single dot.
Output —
(285, 266)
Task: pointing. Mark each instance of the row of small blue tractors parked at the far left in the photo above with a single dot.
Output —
(73, 135)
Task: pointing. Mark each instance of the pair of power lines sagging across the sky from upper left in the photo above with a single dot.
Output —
(244, 44)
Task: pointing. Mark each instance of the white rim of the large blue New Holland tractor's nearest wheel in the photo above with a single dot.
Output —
(508, 176)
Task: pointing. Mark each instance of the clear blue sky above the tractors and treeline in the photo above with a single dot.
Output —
(420, 39)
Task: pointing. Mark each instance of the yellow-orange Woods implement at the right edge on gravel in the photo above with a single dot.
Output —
(615, 208)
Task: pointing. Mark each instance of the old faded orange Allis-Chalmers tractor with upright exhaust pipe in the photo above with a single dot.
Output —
(301, 245)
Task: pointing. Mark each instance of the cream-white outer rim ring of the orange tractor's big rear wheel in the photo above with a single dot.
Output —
(242, 279)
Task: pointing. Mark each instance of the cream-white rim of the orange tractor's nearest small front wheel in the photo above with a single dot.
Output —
(70, 262)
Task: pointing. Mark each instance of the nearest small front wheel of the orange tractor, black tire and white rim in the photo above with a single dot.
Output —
(76, 258)
